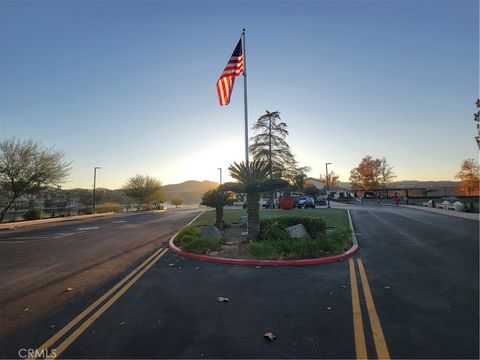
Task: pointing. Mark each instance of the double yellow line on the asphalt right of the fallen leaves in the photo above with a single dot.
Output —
(377, 332)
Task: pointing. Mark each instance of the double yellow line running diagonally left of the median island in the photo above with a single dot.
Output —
(47, 347)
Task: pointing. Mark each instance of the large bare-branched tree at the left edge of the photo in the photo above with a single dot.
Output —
(26, 167)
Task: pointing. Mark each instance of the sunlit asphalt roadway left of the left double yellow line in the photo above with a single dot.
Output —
(39, 263)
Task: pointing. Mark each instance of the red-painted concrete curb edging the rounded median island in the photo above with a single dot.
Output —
(324, 260)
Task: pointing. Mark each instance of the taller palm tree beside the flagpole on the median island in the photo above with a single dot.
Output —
(253, 179)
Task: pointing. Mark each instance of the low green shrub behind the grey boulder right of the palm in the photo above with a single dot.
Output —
(314, 225)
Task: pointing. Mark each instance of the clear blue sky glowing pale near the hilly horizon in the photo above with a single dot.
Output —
(129, 86)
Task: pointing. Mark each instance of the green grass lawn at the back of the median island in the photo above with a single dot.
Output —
(335, 217)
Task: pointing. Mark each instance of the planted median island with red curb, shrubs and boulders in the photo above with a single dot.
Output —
(320, 249)
